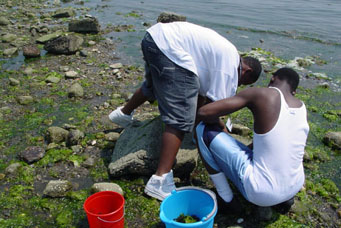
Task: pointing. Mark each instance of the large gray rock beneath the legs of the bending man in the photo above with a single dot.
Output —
(137, 151)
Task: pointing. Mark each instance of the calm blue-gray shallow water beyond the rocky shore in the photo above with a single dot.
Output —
(287, 28)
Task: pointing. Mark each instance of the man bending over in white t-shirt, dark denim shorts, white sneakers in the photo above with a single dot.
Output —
(186, 66)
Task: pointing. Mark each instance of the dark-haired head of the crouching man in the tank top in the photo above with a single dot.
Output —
(287, 75)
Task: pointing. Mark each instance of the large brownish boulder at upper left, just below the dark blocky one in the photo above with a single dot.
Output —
(64, 45)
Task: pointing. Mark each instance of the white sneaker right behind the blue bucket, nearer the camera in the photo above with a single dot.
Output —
(160, 187)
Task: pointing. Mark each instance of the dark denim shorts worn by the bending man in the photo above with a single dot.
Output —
(175, 88)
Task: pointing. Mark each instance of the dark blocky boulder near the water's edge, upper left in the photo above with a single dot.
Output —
(87, 25)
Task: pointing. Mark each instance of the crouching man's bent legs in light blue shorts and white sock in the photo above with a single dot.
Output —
(223, 156)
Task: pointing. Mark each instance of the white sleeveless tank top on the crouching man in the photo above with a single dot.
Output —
(276, 173)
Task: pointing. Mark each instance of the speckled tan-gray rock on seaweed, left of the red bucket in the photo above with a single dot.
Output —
(57, 188)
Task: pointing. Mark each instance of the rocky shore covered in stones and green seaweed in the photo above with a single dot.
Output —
(57, 145)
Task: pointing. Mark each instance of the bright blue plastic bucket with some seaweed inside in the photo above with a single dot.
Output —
(189, 201)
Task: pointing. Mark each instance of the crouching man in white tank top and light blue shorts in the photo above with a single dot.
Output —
(270, 171)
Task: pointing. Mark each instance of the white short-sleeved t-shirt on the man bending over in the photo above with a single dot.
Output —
(204, 52)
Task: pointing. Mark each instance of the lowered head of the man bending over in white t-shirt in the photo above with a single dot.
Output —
(250, 71)
